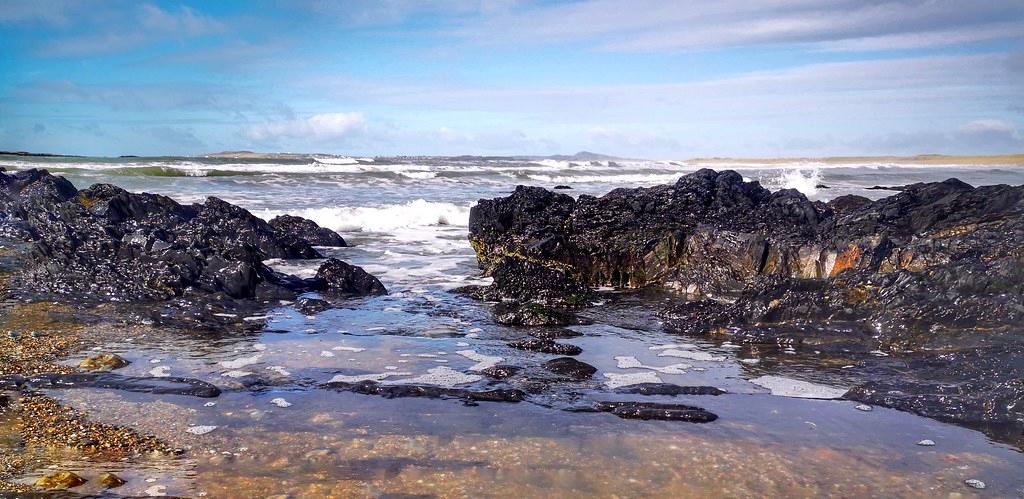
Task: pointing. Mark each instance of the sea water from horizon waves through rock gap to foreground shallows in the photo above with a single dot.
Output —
(407, 225)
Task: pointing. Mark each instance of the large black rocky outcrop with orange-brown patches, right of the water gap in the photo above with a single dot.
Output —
(921, 294)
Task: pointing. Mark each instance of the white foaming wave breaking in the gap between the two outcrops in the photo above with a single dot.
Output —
(383, 219)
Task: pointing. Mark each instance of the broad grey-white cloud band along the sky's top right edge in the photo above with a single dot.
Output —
(697, 25)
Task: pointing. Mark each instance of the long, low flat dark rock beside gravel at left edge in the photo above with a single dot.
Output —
(167, 386)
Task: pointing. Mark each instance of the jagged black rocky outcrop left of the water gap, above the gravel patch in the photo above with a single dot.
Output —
(106, 243)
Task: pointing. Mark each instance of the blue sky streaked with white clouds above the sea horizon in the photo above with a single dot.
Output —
(643, 79)
